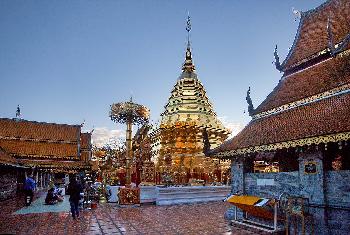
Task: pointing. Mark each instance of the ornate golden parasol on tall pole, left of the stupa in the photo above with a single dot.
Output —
(129, 113)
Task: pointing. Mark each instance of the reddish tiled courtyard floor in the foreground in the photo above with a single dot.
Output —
(205, 218)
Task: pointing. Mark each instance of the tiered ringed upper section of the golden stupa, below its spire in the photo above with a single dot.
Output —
(189, 108)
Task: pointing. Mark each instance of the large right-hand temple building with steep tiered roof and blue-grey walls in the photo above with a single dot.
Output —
(303, 124)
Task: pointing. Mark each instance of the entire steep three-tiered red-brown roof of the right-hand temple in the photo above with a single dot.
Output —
(310, 104)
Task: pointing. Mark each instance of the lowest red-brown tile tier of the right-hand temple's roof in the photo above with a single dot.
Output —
(328, 116)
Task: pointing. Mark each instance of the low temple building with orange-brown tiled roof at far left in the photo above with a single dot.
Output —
(45, 149)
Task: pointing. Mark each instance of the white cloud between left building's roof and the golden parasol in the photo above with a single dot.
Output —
(102, 136)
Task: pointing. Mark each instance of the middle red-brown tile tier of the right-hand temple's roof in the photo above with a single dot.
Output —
(314, 80)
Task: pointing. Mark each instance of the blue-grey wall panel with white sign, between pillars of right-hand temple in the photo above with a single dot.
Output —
(272, 184)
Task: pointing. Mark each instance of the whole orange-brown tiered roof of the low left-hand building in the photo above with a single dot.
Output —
(45, 145)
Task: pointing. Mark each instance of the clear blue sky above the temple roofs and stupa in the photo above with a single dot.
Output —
(66, 61)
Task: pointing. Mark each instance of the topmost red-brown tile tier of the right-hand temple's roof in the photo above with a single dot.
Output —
(312, 34)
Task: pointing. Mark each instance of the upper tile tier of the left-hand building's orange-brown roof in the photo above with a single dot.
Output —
(38, 130)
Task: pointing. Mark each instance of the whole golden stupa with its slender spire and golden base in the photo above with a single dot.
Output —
(179, 138)
